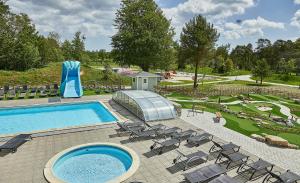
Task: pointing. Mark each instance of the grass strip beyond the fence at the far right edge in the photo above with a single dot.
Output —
(283, 79)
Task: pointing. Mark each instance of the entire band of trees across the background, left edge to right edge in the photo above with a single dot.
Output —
(144, 38)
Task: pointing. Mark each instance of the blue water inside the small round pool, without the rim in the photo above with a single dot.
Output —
(92, 164)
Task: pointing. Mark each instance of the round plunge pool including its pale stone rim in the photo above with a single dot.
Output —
(92, 163)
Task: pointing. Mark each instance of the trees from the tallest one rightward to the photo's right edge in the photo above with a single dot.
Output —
(145, 38)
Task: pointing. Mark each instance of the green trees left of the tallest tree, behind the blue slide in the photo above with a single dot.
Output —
(23, 48)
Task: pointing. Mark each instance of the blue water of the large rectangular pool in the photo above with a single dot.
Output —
(37, 118)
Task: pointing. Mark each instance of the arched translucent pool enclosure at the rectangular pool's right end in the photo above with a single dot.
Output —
(147, 105)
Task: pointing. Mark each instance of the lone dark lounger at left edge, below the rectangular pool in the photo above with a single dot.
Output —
(13, 144)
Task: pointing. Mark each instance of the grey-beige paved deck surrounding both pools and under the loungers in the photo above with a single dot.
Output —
(26, 165)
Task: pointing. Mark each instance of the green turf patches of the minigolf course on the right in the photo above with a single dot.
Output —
(247, 126)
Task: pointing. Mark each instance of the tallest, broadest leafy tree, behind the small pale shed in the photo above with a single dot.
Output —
(144, 36)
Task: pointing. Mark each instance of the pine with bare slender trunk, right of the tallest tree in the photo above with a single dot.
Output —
(197, 39)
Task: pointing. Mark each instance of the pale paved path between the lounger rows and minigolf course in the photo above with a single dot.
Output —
(284, 158)
